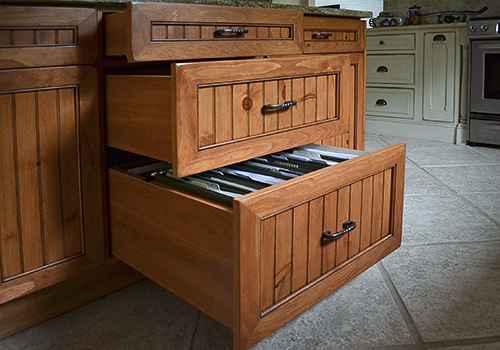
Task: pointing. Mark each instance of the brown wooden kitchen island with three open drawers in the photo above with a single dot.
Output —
(187, 84)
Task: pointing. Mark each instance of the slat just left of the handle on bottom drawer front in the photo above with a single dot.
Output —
(315, 238)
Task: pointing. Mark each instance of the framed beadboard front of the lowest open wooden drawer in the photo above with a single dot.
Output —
(286, 266)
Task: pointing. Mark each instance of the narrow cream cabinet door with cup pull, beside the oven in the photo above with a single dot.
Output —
(439, 77)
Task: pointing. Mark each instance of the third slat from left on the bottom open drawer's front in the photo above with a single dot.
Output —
(299, 246)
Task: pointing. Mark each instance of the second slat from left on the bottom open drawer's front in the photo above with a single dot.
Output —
(283, 247)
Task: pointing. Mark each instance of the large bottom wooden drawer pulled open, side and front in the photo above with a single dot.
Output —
(262, 262)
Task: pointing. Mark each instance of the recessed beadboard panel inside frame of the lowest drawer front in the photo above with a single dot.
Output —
(294, 255)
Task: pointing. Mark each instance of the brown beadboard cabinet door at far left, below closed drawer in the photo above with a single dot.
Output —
(51, 227)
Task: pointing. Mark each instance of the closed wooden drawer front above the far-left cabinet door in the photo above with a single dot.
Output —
(37, 36)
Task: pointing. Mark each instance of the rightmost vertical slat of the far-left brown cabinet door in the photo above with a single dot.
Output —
(69, 156)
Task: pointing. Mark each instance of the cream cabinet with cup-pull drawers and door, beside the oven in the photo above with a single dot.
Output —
(415, 78)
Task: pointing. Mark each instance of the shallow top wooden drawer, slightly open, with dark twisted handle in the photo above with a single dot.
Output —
(160, 31)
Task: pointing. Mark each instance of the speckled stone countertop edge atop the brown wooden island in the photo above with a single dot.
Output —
(308, 10)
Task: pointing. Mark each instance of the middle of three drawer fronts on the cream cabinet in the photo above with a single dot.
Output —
(391, 69)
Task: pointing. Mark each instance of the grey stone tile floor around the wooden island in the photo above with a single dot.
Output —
(440, 290)
